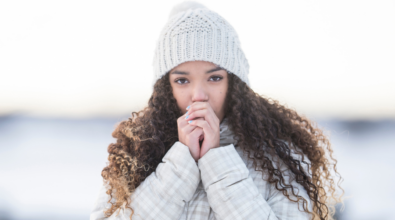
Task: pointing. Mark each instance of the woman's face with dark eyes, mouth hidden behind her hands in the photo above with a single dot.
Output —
(200, 81)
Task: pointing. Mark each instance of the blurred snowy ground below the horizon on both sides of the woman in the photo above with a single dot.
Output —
(50, 167)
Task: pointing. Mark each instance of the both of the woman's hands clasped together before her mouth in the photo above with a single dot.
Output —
(199, 123)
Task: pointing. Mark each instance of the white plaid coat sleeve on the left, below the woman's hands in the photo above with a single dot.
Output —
(163, 194)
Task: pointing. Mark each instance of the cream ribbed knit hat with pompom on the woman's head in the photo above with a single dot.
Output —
(194, 32)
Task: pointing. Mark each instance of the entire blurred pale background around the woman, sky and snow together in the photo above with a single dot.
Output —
(71, 70)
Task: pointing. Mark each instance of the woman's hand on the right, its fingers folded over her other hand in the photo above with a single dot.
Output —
(209, 124)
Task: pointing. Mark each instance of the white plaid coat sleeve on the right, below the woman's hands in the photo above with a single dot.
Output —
(232, 193)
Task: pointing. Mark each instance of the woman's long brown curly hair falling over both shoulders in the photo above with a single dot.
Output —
(260, 124)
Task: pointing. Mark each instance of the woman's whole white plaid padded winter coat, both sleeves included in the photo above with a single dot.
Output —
(223, 184)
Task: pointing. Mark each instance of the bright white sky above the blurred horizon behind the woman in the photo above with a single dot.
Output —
(94, 58)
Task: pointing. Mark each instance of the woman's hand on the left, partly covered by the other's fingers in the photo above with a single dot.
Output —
(190, 136)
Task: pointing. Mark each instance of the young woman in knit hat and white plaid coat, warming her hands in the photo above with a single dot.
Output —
(209, 147)
